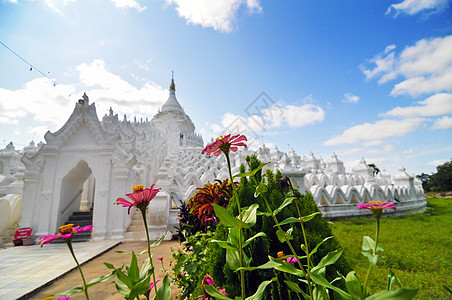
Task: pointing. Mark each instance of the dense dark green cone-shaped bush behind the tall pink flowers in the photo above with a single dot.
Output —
(259, 250)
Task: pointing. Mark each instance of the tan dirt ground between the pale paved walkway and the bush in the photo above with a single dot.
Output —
(96, 268)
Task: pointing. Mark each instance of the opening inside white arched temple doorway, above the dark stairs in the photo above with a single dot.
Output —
(76, 192)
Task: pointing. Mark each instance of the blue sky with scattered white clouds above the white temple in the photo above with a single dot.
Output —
(368, 79)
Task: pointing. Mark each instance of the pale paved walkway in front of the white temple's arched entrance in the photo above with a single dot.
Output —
(26, 268)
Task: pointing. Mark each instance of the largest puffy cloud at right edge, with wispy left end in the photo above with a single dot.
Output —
(426, 67)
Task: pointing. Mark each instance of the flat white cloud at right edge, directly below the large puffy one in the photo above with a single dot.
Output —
(436, 105)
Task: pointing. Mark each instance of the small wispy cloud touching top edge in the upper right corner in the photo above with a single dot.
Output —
(412, 7)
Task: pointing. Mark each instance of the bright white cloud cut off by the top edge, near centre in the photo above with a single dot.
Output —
(218, 14)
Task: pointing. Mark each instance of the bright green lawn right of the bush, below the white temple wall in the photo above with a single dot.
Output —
(418, 248)
